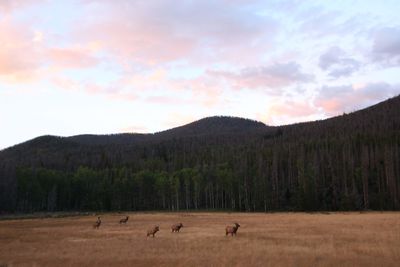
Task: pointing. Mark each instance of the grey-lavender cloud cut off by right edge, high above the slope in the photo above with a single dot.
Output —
(386, 46)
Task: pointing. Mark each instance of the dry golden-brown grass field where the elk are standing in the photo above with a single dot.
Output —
(277, 239)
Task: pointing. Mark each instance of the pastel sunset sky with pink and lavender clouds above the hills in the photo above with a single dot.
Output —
(70, 67)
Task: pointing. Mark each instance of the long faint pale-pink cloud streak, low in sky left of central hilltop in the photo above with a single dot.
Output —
(152, 87)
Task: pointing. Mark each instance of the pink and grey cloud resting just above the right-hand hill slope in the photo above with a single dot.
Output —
(335, 100)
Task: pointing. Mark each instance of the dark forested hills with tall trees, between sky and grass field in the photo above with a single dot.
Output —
(350, 162)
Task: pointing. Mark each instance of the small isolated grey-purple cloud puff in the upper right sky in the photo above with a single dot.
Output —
(337, 63)
